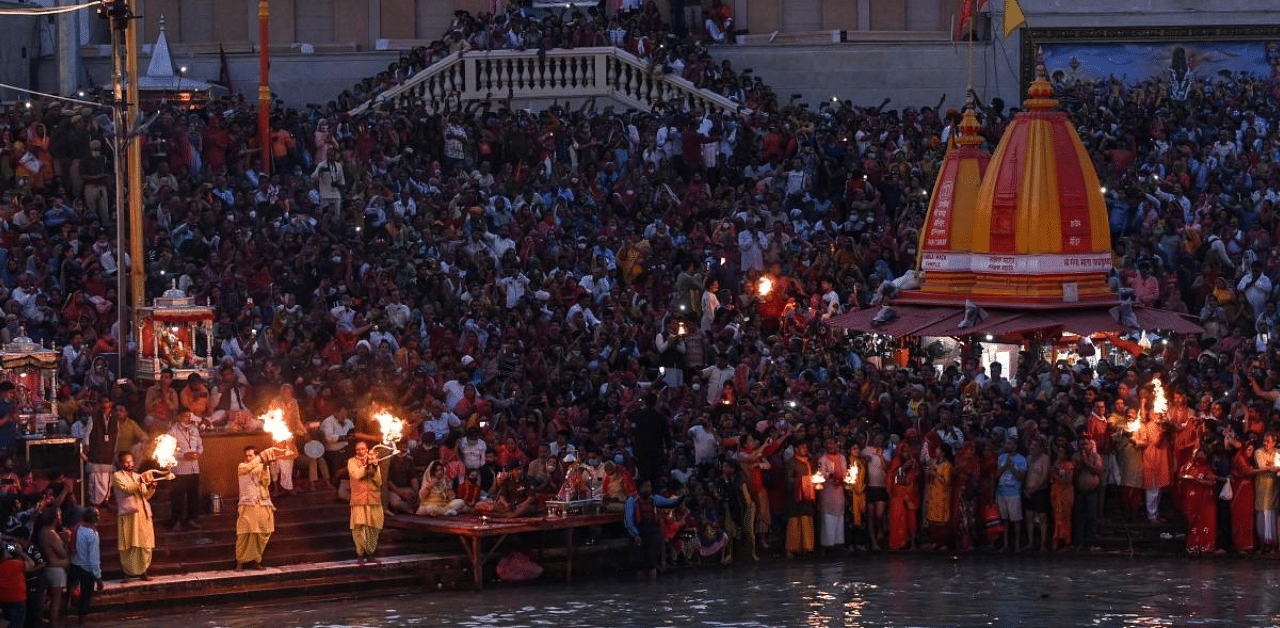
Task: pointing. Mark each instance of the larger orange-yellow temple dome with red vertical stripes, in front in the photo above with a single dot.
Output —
(1040, 233)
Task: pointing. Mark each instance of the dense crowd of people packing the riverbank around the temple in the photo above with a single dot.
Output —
(637, 300)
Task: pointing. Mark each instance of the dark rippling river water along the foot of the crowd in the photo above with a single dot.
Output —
(885, 590)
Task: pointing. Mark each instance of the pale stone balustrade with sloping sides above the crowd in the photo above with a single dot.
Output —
(556, 75)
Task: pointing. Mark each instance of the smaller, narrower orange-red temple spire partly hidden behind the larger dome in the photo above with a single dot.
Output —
(948, 235)
